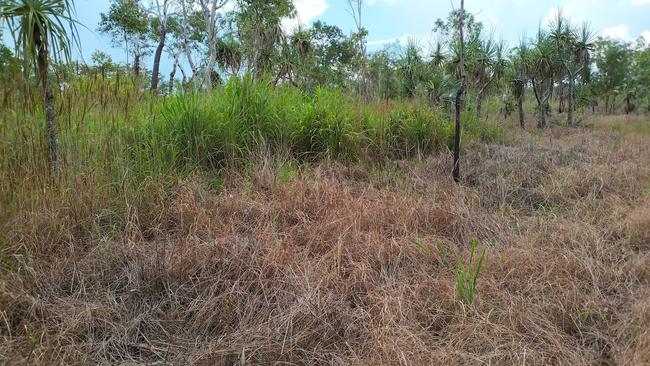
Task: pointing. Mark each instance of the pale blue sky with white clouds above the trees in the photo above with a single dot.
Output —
(390, 21)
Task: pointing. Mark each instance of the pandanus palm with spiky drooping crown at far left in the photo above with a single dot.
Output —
(40, 35)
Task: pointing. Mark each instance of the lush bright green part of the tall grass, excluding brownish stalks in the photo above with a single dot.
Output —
(228, 124)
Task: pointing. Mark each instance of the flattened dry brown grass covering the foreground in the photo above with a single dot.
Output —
(323, 269)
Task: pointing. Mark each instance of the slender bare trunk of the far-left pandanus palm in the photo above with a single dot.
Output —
(48, 99)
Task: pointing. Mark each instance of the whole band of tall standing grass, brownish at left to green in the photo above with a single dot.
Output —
(116, 138)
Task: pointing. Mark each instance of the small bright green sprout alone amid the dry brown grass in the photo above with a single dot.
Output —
(466, 272)
